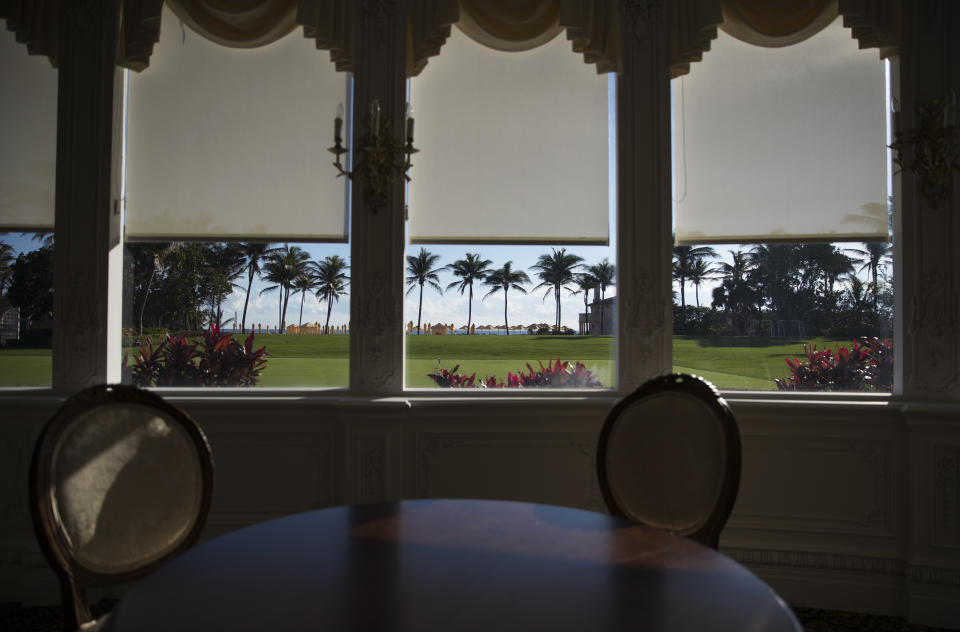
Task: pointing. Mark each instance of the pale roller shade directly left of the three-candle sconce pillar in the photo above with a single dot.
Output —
(231, 144)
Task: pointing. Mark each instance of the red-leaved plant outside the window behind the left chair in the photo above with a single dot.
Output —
(216, 360)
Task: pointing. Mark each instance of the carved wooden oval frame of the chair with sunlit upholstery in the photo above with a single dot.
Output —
(73, 575)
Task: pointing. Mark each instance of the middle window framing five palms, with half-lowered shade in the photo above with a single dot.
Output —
(515, 150)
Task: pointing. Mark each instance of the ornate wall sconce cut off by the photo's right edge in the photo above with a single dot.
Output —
(934, 144)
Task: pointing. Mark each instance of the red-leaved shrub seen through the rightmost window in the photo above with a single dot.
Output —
(867, 365)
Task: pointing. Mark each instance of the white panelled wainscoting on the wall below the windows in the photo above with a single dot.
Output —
(849, 504)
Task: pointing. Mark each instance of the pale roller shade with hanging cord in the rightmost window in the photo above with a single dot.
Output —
(781, 144)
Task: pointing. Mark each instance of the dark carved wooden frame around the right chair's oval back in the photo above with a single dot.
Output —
(709, 532)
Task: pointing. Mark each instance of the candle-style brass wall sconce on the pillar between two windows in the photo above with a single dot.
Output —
(382, 160)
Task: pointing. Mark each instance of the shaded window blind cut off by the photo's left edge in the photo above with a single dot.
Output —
(28, 129)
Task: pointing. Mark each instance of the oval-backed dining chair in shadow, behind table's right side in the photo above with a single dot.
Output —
(669, 457)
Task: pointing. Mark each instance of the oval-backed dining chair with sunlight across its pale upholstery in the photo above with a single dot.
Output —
(120, 481)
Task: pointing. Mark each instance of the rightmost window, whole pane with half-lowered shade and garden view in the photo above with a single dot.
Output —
(777, 151)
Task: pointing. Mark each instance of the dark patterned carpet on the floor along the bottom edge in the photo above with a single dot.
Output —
(14, 618)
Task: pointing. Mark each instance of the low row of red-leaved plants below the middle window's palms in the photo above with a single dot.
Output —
(557, 374)
